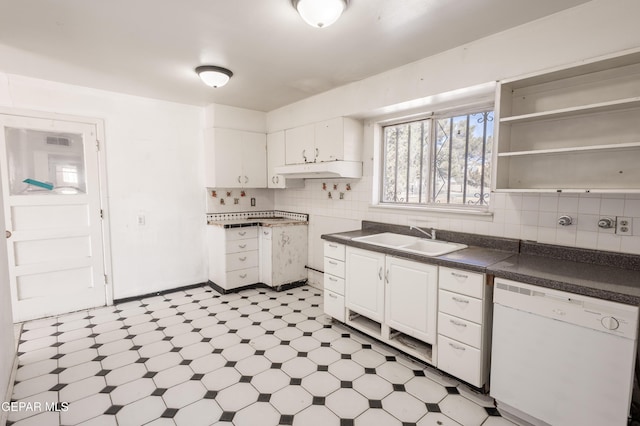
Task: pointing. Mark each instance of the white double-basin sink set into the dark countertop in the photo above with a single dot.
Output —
(411, 244)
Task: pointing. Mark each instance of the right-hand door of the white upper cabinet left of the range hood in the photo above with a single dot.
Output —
(254, 160)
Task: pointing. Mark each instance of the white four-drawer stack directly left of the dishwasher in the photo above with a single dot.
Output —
(464, 325)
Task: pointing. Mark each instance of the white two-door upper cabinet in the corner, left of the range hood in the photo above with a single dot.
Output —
(235, 158)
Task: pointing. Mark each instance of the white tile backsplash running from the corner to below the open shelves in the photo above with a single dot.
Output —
(524, 216)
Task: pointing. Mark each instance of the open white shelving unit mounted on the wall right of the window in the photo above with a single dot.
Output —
(573, 129)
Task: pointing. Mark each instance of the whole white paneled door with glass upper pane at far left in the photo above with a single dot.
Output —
(53, 217)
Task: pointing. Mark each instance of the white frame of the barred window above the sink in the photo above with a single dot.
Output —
(433, 114)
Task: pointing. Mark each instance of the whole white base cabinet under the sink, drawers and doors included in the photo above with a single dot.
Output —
(437, 314)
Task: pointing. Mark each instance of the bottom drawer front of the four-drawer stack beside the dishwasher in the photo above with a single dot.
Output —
(460, 360)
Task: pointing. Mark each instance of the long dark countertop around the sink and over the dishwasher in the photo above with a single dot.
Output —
(603, 275)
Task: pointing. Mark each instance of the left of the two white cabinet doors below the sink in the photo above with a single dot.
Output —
(364, 285)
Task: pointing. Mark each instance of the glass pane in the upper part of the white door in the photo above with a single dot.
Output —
(45, 162)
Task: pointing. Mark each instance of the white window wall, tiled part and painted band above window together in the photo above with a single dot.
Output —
(596, 28)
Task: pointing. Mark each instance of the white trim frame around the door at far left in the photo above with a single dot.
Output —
(102, 177)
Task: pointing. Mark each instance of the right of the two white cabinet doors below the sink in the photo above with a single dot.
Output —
(411, 298)
